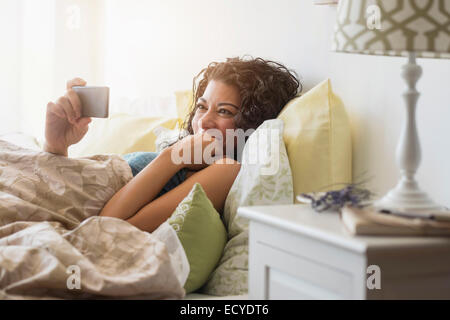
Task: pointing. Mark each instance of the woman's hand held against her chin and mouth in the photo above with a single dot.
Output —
(195, 151)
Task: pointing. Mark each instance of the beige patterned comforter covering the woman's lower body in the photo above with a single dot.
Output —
(53, 244)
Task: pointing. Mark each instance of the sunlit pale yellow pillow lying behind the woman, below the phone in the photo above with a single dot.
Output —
(121, 133)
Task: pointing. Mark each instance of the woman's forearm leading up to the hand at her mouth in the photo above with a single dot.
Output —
(143, 188)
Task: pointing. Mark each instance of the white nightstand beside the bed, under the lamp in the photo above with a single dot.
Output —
(297, 253)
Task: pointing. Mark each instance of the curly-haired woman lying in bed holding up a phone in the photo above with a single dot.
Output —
(236, 94)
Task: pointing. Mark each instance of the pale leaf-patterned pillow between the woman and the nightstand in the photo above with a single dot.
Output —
(257, 183)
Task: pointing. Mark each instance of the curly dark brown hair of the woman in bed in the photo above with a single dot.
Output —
(264, 86)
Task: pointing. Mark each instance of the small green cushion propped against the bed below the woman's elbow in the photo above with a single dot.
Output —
(202, 234)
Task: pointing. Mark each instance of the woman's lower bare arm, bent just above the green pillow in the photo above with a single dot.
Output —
(215, 179)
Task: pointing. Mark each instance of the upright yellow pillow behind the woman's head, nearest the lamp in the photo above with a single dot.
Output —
(317, 135)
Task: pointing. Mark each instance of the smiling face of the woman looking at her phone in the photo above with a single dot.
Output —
(217, 108)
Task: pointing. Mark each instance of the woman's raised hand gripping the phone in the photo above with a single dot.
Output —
(64, 125)
